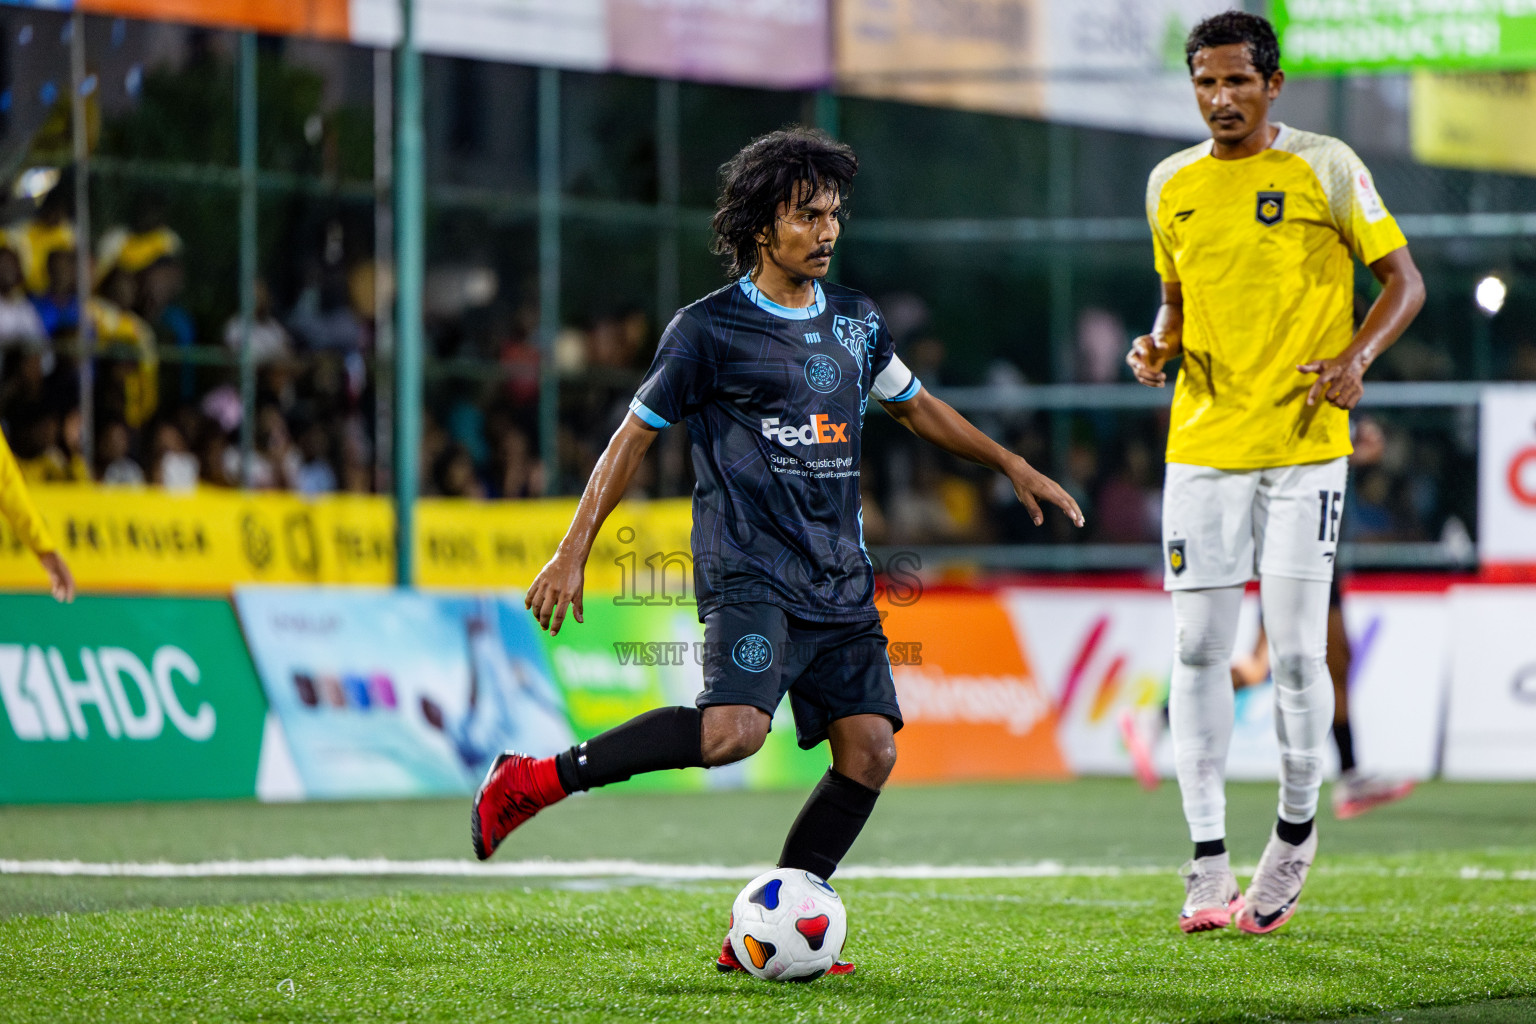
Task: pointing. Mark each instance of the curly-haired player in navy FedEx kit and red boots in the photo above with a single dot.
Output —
(772, 377)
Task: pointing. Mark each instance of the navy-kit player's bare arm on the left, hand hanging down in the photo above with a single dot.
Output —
(561, 581)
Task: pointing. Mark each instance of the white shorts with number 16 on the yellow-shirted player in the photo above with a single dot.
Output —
(1220, 527)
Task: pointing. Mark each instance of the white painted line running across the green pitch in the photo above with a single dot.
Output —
(365, 868)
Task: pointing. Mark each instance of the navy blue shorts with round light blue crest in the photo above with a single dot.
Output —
(753, 655)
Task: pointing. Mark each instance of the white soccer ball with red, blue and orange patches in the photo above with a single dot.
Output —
(789, 927)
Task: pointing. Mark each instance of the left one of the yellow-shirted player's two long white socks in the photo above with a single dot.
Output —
(1200, 704)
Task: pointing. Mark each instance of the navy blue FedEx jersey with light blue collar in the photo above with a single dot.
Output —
(775, 403)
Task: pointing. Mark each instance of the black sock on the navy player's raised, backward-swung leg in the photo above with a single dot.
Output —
(667, 738)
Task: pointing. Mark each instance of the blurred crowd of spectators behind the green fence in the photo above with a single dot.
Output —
(168, 405)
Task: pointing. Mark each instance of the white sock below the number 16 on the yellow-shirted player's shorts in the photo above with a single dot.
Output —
(1297, 623)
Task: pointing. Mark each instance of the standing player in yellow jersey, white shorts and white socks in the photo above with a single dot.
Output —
(1256, 234)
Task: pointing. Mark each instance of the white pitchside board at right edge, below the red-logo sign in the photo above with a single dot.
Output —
(1491, 732)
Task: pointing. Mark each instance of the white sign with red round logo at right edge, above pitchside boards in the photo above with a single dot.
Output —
(1508, 477)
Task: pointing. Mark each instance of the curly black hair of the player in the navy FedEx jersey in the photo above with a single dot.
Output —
(775, 170)
